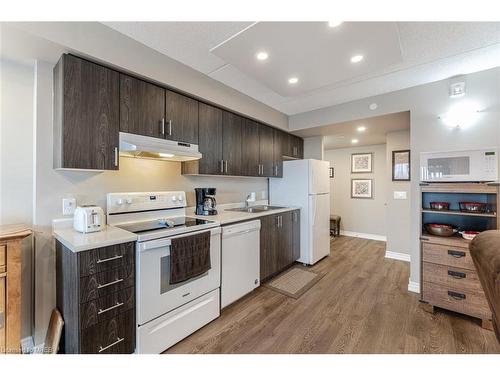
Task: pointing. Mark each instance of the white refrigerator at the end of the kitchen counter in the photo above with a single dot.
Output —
(306, 184)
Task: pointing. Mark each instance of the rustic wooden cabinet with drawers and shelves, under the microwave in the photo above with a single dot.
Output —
(448, 275)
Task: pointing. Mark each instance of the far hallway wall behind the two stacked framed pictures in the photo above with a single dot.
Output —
(366, 216)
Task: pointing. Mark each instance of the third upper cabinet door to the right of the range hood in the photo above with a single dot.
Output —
(250, 148)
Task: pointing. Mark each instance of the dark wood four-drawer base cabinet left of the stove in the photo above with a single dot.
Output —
(95, 292)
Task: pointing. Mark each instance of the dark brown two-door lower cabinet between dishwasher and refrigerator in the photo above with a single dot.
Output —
(279, 242)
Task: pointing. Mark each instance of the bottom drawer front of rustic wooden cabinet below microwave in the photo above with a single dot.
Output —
(456, 299)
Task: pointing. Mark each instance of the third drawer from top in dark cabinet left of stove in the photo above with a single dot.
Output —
(106, 307)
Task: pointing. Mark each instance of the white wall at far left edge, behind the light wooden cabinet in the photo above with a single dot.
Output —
(16, 165)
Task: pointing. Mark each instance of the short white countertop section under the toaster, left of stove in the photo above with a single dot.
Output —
(76, 241)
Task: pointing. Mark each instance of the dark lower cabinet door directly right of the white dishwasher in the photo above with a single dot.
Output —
(268, 256)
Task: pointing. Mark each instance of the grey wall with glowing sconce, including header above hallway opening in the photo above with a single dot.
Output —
(428, 133)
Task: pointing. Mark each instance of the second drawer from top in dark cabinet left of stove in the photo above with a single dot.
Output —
(104, 283)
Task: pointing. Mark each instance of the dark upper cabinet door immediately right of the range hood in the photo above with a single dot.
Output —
(210, 140)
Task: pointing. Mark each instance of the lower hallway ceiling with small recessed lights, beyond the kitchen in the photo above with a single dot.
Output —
(339, 135)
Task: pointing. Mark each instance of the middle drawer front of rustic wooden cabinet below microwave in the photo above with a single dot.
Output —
(451, 277)
